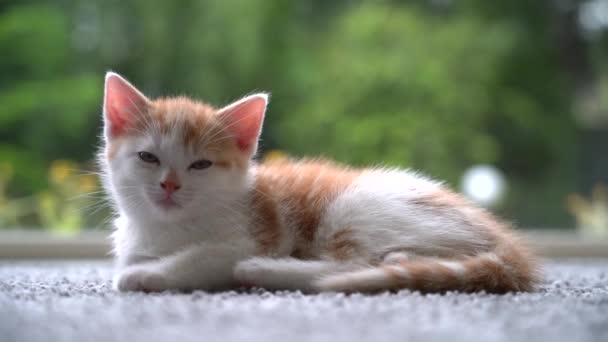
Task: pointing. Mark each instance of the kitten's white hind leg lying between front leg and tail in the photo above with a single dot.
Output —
(287, 273)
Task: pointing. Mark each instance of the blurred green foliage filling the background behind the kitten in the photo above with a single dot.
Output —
(433, 85)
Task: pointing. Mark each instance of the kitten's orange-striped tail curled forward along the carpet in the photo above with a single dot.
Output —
(499, 271)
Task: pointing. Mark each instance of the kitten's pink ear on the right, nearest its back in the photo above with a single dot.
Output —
(243, 119)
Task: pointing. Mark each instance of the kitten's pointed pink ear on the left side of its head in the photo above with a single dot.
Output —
(122, 104)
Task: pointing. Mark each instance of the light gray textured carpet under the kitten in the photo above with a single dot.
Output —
(72, 301)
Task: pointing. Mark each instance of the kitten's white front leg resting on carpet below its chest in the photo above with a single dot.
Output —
(202, 266)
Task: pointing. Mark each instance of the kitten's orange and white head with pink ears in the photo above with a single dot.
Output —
(175, 157)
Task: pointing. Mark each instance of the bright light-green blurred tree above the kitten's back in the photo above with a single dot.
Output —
(400, 86)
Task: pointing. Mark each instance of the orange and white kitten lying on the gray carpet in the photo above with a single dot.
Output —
(195, 212)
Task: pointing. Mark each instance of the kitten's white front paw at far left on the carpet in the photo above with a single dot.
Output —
(139, 279)
